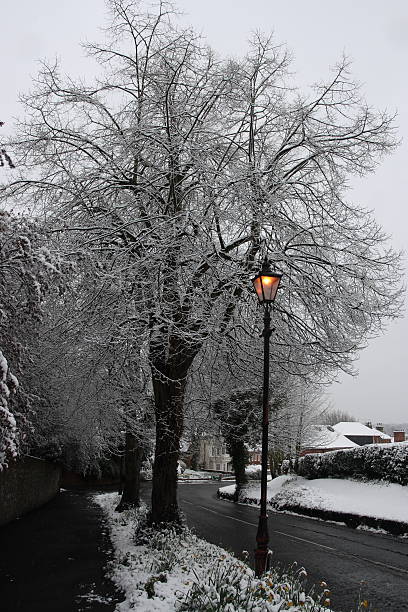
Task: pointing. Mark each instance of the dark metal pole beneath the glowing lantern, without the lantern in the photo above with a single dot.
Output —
(262, 537)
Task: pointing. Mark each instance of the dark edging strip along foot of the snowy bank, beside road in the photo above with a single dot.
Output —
(351, 520)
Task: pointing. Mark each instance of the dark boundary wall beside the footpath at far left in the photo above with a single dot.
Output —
(25, 485)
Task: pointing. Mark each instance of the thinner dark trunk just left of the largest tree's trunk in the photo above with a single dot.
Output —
(133, 464)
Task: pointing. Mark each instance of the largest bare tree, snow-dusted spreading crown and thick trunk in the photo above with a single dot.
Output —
(188, 168)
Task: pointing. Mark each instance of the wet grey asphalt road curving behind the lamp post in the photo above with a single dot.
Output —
(340, 556)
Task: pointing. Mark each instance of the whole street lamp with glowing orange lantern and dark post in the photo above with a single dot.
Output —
(266, 284)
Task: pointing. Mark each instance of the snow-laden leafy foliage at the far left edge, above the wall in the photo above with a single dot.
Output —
(26, 270)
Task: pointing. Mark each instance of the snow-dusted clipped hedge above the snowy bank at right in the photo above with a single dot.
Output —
(373, 461)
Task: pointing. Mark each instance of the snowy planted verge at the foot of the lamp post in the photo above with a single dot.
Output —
(169, 570)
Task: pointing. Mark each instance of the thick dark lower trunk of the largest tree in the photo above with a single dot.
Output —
(169, 404)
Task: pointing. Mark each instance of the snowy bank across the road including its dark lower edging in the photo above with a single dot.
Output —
(370, 504)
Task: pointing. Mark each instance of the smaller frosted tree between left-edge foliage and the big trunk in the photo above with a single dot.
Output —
(88, 369)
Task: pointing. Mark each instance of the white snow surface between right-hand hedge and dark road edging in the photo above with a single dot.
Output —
(376, 499)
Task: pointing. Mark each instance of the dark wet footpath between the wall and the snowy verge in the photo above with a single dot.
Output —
(52, 559)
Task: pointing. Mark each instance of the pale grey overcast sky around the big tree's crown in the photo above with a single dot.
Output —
(371, 32)
